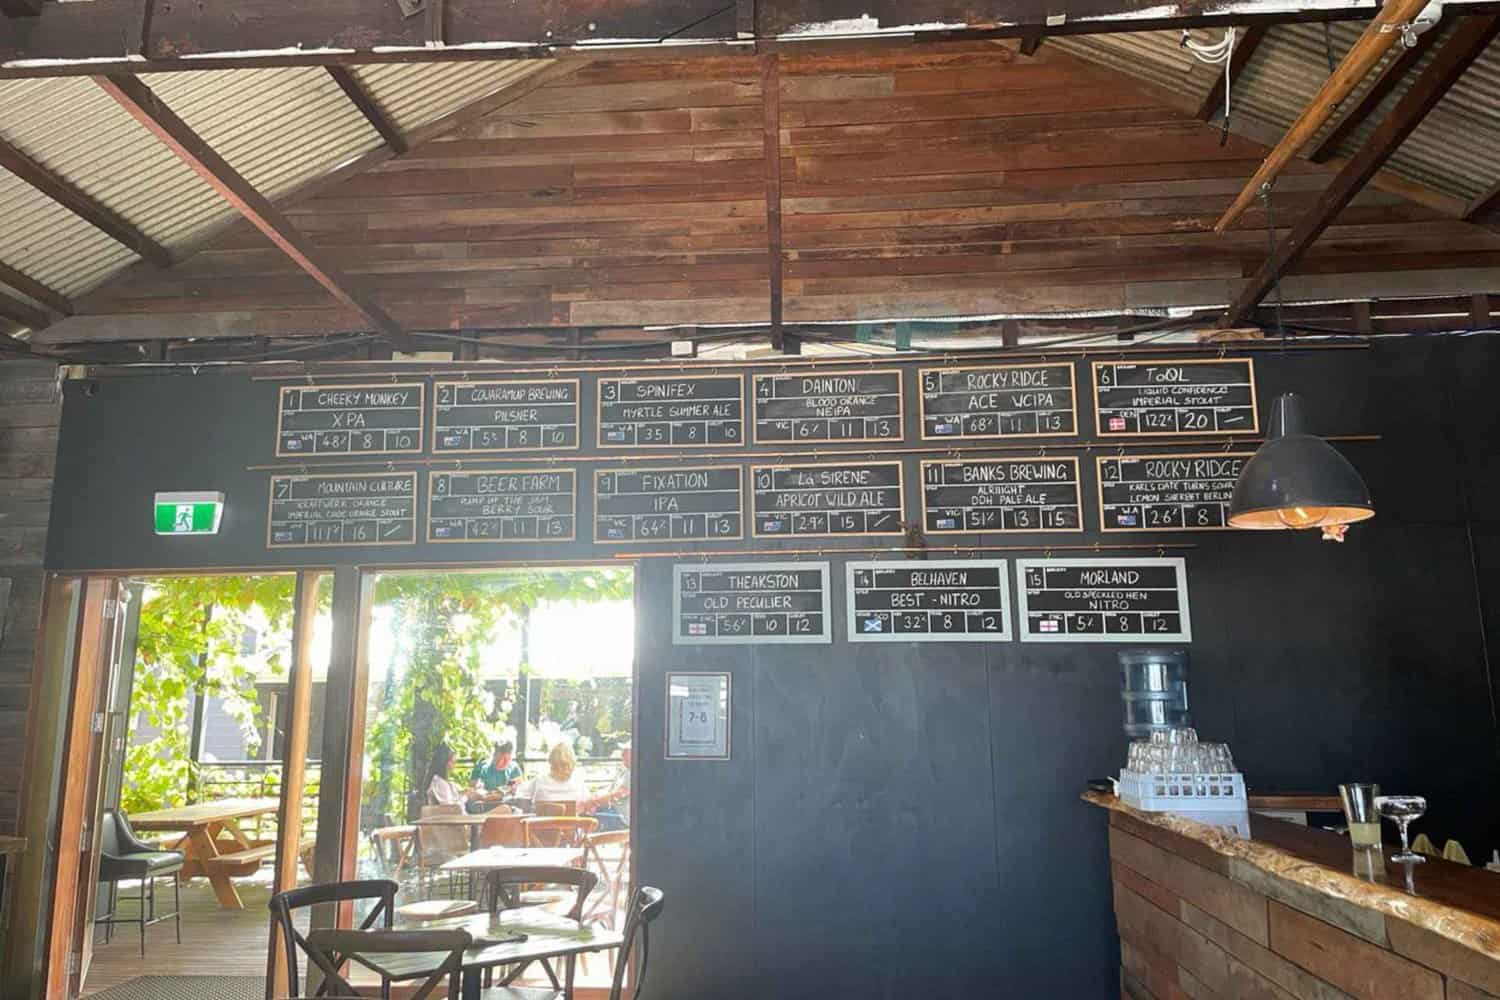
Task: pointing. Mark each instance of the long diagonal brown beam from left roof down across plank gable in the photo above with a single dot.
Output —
(191, 149)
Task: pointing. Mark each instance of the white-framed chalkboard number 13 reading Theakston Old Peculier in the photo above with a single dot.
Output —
(754, 602)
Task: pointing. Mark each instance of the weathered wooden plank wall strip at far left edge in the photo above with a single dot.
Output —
(31, 409)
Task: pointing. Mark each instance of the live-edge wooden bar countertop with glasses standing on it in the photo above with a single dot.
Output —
(1454, 902)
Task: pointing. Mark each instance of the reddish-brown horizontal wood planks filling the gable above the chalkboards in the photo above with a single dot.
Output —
(962, 181)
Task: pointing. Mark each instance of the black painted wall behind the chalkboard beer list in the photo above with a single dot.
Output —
(904, 819)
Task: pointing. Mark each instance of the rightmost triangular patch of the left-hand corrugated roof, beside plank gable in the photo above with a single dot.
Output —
(413, 95)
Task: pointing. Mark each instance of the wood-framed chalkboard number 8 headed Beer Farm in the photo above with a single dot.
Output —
(503, 506)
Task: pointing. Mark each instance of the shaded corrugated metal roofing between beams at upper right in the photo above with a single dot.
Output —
(1453, 152)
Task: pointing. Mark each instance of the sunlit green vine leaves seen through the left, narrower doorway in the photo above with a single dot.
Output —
(188, 644)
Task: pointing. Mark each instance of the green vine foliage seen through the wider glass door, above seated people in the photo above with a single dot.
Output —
(434, 692)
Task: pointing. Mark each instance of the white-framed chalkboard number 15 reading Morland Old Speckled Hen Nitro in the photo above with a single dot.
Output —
(1103, 600)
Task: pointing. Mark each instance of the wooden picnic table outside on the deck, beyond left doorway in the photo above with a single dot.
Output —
(214, 845)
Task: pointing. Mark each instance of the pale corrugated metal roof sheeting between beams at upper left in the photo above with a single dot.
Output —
(280, 128)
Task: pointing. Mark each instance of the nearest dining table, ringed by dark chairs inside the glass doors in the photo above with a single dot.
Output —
(511, 938)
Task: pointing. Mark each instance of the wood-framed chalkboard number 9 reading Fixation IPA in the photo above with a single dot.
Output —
(668, 504)
